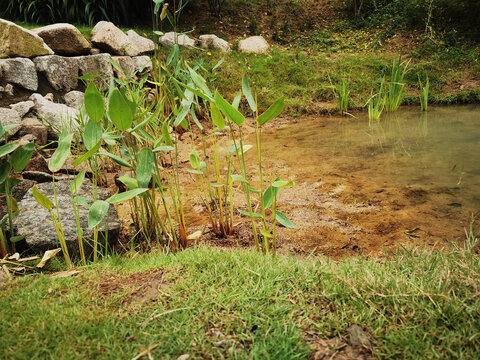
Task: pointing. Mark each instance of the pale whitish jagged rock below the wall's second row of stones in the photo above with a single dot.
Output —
(56, 116)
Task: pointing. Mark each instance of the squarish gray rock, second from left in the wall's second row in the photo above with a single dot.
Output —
(61, 72)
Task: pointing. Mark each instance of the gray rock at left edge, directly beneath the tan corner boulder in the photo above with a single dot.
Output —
(19, 71)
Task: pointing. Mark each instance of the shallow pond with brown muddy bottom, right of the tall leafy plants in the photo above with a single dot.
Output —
(410, 179)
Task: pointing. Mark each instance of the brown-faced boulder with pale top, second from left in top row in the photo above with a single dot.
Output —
(64, 39)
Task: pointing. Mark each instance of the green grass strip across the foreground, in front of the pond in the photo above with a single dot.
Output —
(417, 304)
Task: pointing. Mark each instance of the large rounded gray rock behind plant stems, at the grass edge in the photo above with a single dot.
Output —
(34, 221)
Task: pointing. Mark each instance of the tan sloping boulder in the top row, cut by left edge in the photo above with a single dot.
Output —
(17, 41)
